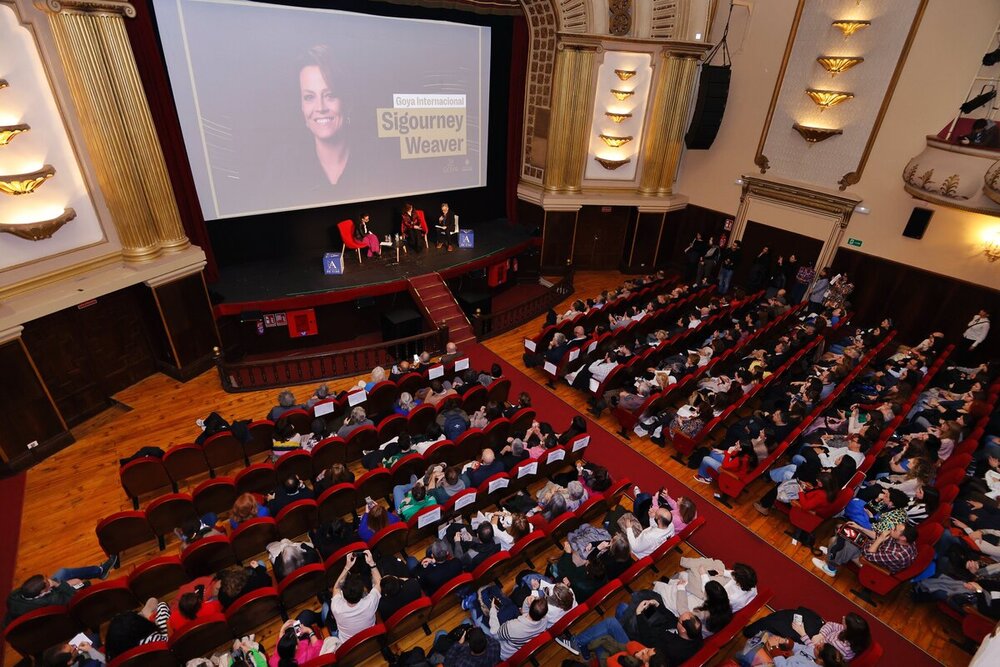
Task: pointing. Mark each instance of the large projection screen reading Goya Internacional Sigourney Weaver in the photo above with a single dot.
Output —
(290, 107)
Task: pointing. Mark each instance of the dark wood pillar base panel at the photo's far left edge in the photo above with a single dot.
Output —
(31, 416)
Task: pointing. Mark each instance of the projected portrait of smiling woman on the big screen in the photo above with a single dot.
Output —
(325, 111)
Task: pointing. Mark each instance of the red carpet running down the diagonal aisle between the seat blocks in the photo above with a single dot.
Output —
(722, 536)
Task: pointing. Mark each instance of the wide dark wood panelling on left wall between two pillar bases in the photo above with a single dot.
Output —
(86, 354)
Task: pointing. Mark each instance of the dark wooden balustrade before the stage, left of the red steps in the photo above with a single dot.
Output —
(240, 376)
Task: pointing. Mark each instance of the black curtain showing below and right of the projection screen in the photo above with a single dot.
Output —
(309, 232)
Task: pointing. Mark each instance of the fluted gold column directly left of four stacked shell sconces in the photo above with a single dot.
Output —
(569, 129)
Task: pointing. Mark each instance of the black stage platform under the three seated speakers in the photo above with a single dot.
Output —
(279, 279)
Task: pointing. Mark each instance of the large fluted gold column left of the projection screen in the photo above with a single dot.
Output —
(100, 66)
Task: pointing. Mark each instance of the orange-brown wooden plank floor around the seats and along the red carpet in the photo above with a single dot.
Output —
(68, 494)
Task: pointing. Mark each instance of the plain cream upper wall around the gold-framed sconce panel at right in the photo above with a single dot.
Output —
(943, 59)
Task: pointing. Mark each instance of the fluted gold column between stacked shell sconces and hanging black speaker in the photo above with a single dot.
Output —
(661, 152)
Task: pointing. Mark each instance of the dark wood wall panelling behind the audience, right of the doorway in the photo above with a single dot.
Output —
(919, 301)
